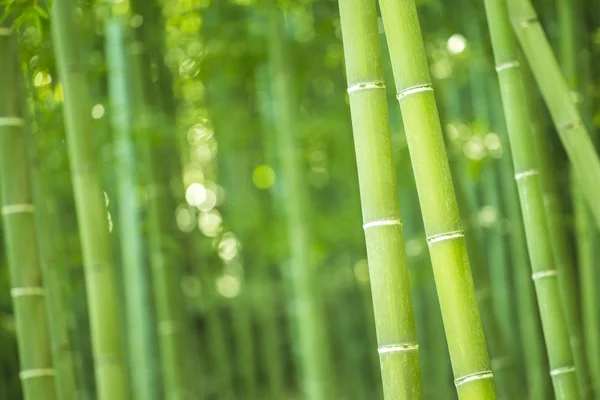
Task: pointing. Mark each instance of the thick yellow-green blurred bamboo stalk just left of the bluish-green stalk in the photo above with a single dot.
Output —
(106, 330)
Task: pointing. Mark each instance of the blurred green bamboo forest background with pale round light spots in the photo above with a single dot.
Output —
(242, 181)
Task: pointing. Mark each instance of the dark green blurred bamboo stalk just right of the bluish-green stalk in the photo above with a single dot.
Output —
(165, 275)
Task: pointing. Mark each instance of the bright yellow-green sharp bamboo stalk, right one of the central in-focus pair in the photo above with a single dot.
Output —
(445, 237)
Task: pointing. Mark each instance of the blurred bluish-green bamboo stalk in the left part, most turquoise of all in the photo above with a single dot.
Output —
(138, 309)
